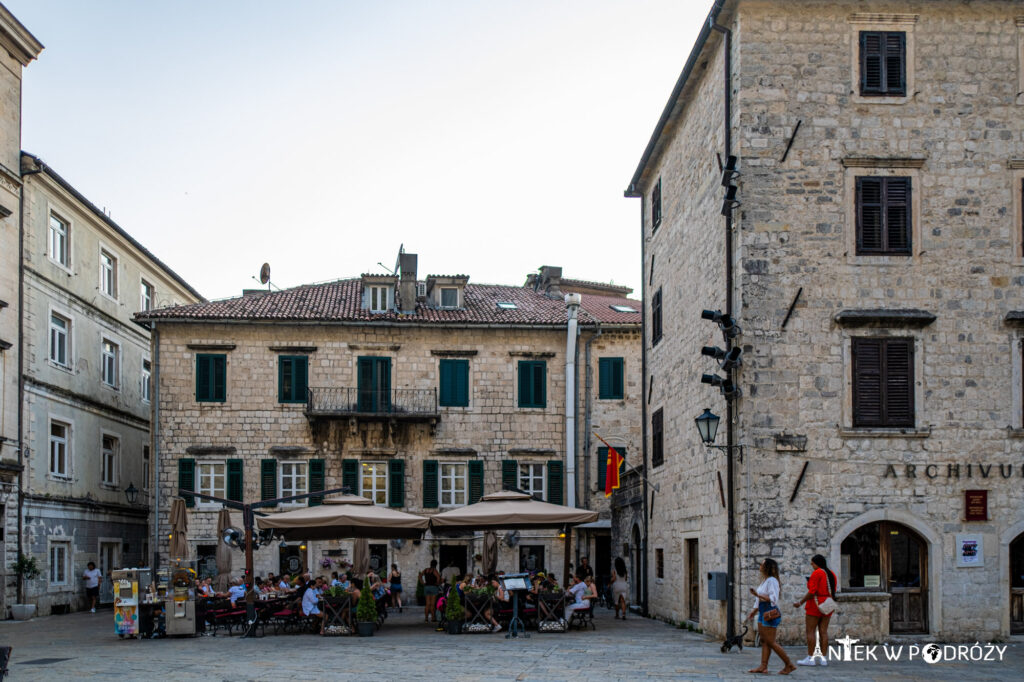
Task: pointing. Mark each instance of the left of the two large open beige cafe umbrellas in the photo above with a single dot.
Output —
(346, 517)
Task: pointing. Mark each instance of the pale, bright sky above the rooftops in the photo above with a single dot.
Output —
(489, 138)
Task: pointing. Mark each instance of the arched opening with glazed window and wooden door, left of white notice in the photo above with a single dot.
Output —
(886, 557)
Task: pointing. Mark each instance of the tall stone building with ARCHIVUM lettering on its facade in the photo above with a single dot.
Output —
(873, 259)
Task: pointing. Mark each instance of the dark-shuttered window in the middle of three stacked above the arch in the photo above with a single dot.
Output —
(884, 216)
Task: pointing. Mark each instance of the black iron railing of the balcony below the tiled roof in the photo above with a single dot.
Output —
(335, 402)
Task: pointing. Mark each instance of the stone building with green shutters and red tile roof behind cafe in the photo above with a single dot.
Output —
(420, 395)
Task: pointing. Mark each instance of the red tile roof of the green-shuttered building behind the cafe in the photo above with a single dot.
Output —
(342, 302)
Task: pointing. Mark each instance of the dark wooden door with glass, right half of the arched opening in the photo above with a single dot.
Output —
(905, 556)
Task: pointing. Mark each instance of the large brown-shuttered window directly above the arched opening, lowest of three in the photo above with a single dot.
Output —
(883, 382)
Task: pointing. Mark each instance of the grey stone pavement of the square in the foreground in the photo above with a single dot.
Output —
(83, 646)
